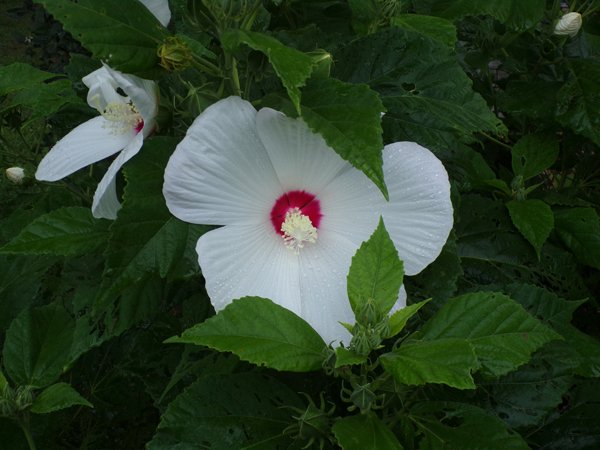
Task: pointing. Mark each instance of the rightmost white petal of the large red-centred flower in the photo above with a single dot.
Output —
(418, 216)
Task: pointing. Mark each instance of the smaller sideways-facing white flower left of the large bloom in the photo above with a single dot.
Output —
(124, 122)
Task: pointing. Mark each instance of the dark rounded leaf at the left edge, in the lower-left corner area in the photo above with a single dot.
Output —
(37, 345)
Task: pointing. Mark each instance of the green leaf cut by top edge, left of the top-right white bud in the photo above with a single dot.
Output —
(516, 14)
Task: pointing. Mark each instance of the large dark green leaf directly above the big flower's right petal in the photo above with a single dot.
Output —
(428, 97)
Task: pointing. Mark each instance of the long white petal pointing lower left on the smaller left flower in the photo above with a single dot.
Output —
(88, 143)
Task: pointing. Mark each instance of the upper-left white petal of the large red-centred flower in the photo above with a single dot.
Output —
(220, 172)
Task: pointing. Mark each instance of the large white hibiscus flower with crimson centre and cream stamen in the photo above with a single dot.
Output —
(295, 212)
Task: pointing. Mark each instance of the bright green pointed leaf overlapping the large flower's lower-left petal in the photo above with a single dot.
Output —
(261, 332)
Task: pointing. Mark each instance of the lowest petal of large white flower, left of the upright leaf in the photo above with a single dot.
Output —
(323, 271)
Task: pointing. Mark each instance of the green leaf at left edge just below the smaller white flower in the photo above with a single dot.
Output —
(67, 231)
